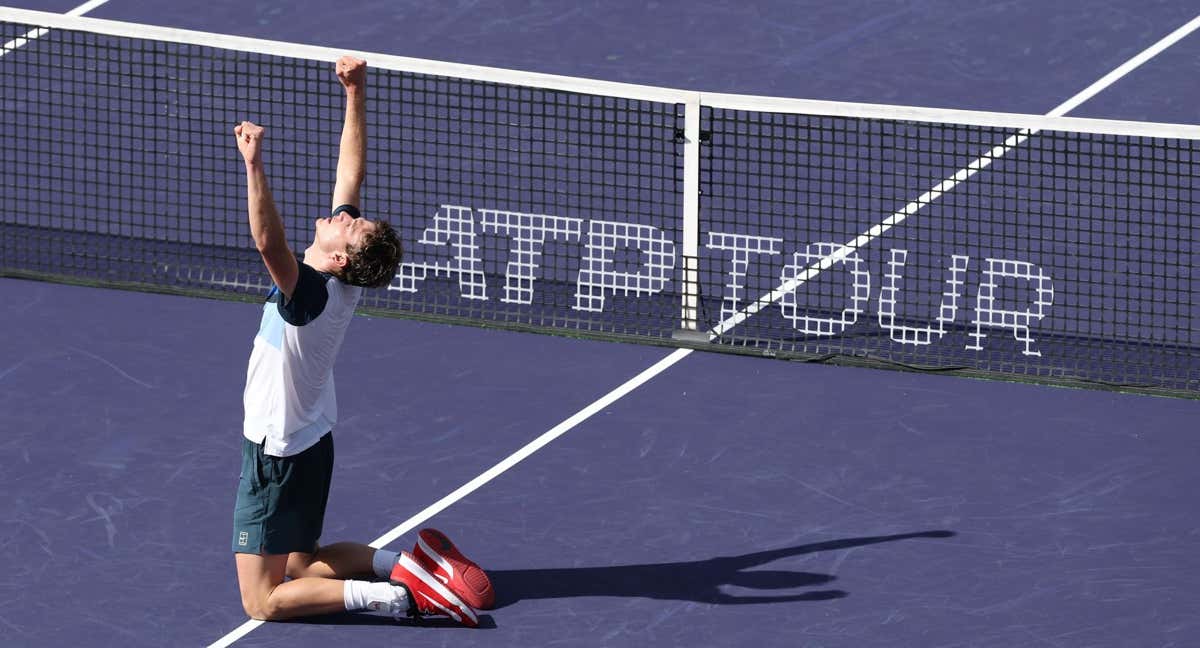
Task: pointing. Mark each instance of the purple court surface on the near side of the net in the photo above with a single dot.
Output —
(729, 500)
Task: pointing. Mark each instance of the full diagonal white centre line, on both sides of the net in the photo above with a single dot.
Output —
(680, 355)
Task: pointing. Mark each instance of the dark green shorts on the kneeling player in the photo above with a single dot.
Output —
(281, 501)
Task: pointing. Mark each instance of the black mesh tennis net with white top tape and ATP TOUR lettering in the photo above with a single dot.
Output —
(1046, 249)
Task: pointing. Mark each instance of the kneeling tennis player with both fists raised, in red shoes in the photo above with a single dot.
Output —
(291, 411)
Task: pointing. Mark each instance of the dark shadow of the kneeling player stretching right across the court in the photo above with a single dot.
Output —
(701, 581)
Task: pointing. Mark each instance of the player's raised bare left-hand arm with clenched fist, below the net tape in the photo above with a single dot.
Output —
(266, 225)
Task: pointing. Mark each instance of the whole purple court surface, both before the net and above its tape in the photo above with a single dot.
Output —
(728, 502)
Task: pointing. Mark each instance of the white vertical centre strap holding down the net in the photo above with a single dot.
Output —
(689, 321)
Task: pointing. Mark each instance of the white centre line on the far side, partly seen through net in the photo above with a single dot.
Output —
(961, 177)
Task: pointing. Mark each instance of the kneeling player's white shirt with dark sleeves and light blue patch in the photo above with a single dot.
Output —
(290, 397)
